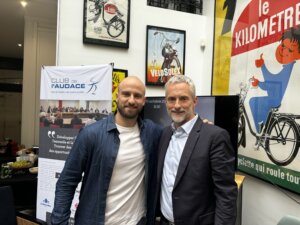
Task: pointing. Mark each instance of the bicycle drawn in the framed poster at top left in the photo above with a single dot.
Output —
(115, 26)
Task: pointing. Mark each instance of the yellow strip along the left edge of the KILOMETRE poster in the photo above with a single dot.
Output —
(222, 53)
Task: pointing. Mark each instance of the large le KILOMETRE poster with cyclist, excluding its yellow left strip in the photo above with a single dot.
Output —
(264, 70)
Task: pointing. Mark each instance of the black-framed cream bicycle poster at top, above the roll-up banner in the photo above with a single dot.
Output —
(106, 23)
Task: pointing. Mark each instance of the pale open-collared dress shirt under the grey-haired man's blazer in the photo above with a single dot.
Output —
(172, 159)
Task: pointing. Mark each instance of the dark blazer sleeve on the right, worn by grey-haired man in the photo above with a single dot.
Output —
(222, 159)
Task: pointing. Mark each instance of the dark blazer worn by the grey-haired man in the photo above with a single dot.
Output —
(204, 191)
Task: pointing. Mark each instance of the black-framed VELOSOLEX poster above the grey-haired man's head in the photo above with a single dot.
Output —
(165, 54)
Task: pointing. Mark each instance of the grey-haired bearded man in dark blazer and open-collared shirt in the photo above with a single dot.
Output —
(195, 171)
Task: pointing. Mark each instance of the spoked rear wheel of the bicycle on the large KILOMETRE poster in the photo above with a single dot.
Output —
(282, 144)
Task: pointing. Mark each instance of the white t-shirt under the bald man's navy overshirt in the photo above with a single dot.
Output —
(125, 202)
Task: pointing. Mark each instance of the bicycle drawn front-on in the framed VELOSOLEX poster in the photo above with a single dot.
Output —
(169, 52)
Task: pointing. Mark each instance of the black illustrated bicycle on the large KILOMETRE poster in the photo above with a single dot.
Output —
(279, 136)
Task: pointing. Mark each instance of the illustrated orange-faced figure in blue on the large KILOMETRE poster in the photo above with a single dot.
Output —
(287, 52)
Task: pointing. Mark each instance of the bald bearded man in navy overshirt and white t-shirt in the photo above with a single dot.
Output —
(114, 158)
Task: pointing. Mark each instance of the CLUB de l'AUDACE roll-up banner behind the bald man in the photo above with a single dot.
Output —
(71, 97)
